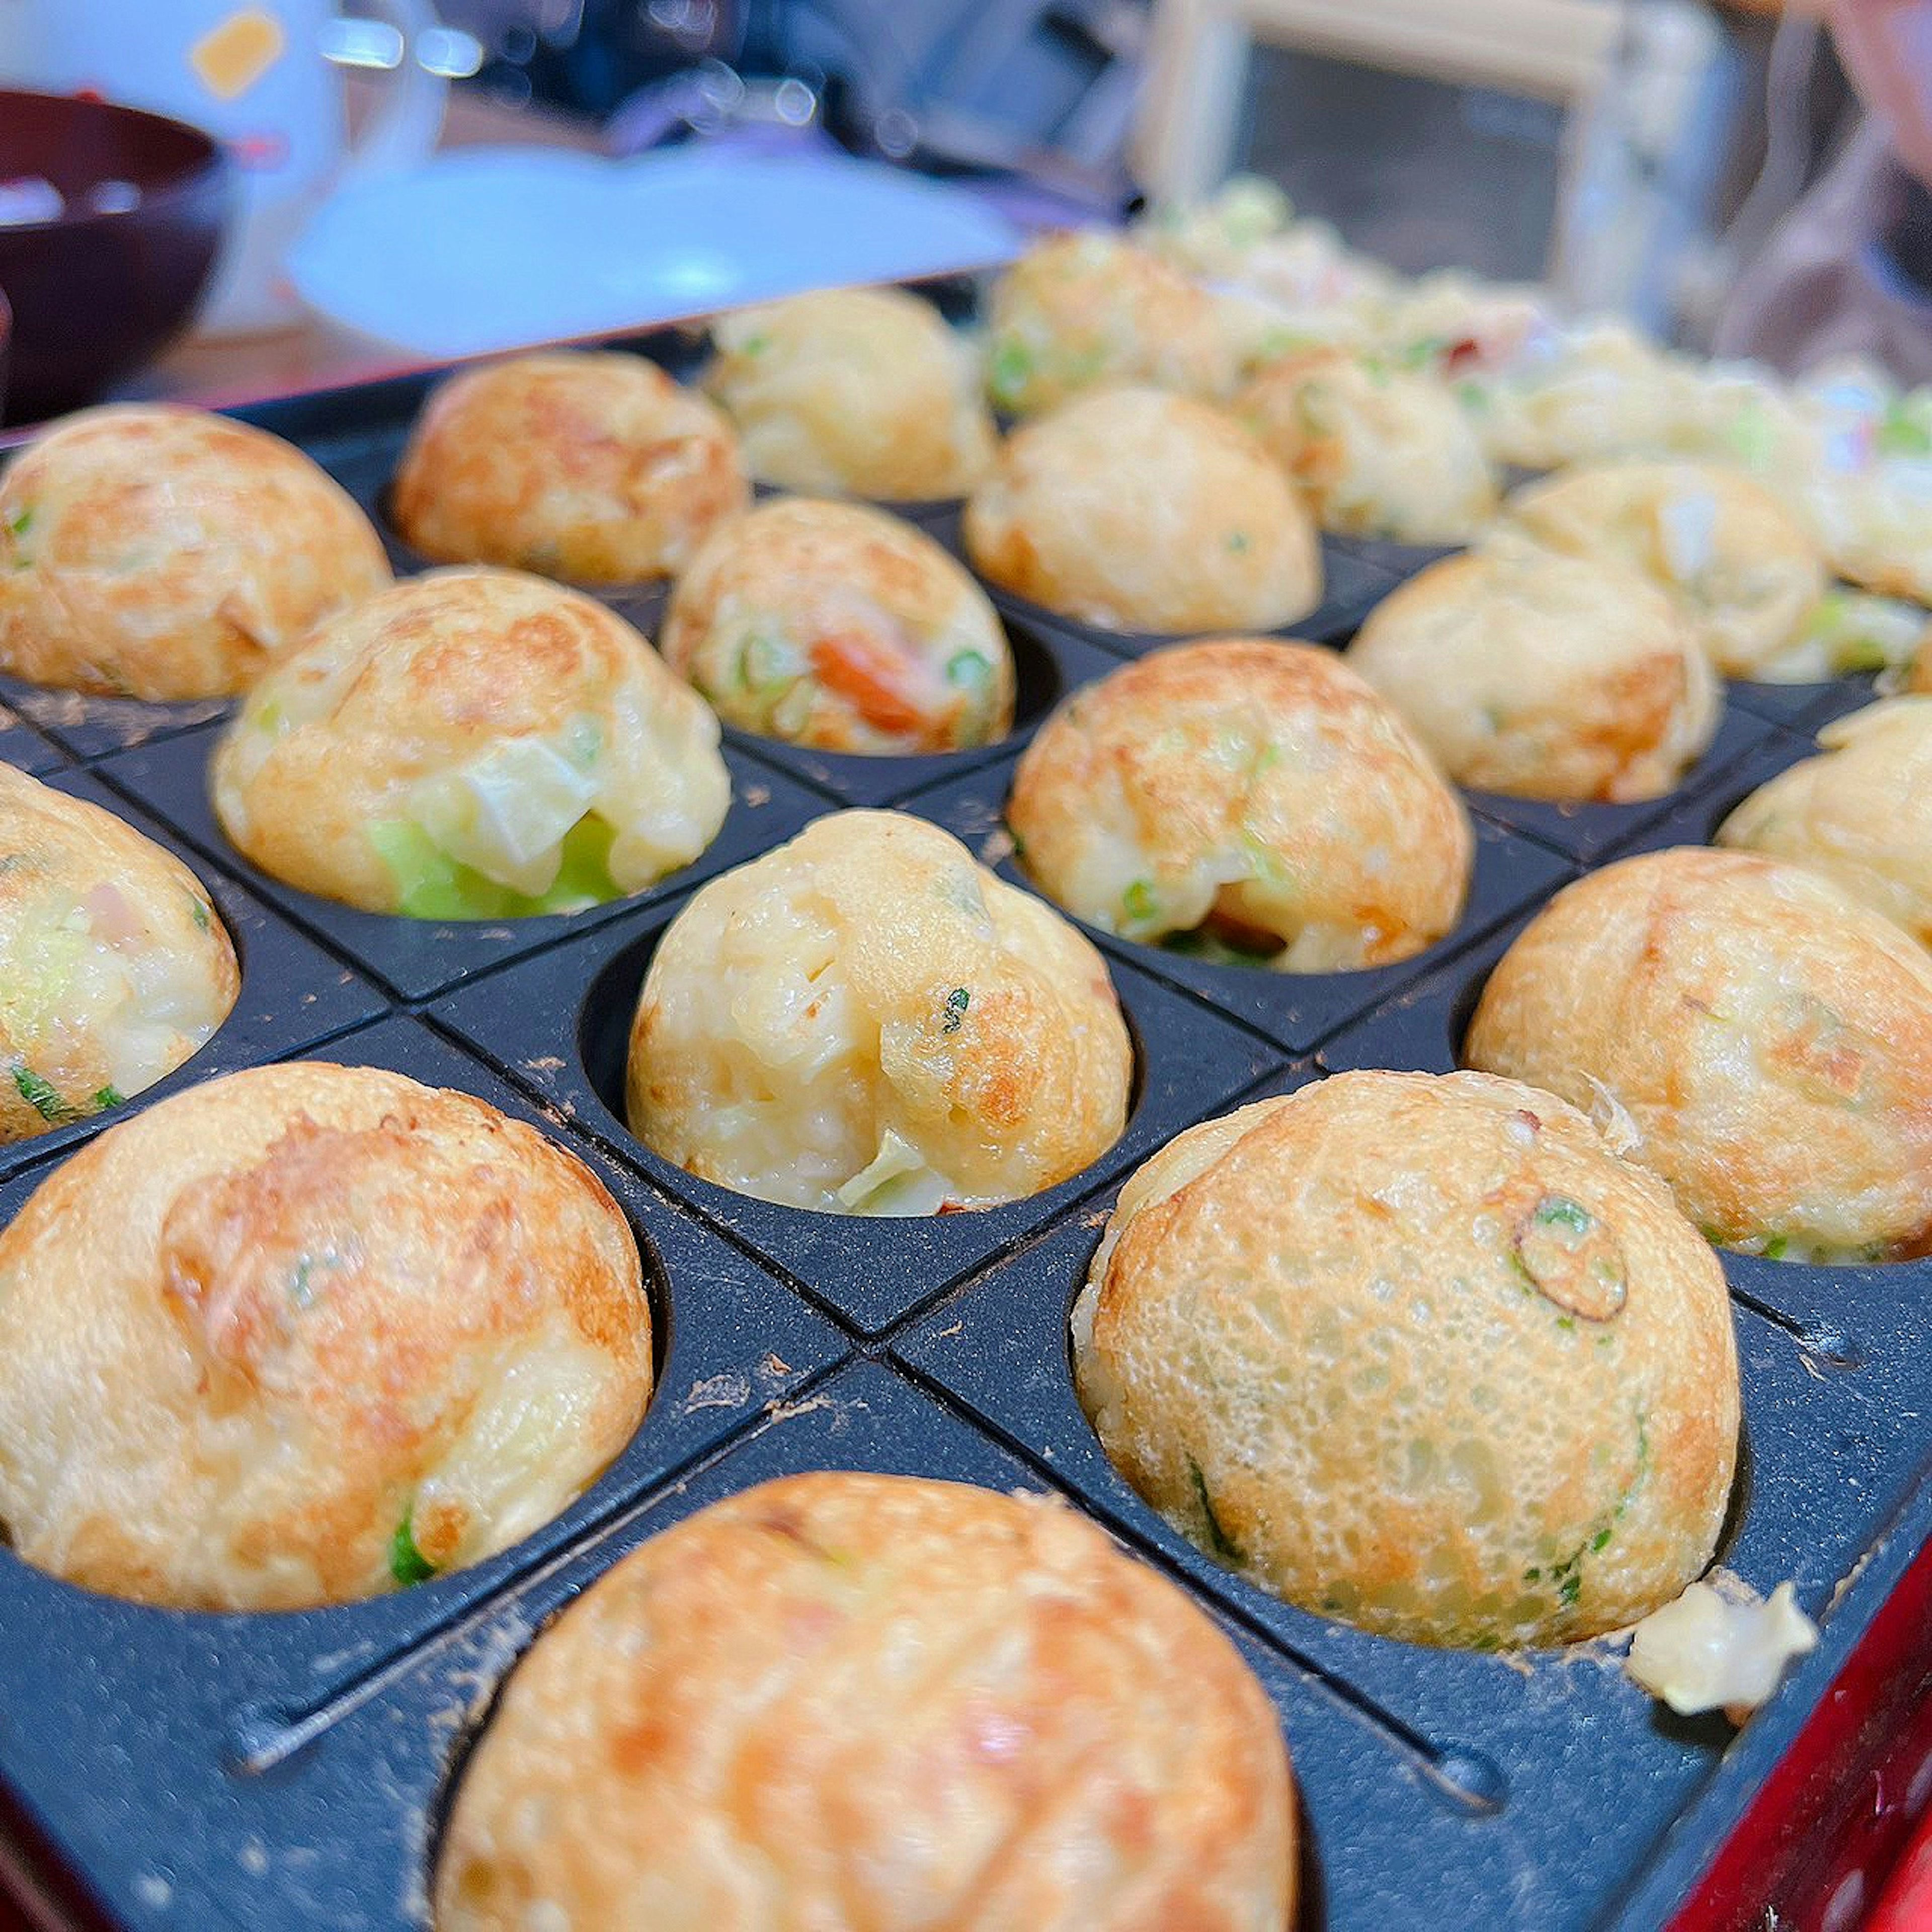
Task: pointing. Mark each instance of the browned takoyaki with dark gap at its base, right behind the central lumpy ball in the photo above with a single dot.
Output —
(1251, 799)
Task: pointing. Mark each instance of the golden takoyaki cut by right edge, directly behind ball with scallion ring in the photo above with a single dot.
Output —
(1767, 1042)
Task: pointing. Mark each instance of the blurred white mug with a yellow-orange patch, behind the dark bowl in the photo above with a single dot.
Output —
(258, 76)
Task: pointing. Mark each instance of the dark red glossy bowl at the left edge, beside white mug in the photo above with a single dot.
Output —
(105, 285)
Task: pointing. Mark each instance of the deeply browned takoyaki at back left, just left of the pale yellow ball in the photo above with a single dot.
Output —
(588, 467)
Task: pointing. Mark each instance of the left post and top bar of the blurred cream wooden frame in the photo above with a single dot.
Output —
(1201, 49)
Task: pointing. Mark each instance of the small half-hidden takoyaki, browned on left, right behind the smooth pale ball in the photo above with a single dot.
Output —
(1377, 451)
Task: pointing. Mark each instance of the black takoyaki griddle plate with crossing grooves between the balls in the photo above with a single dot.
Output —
(185, 1771)
